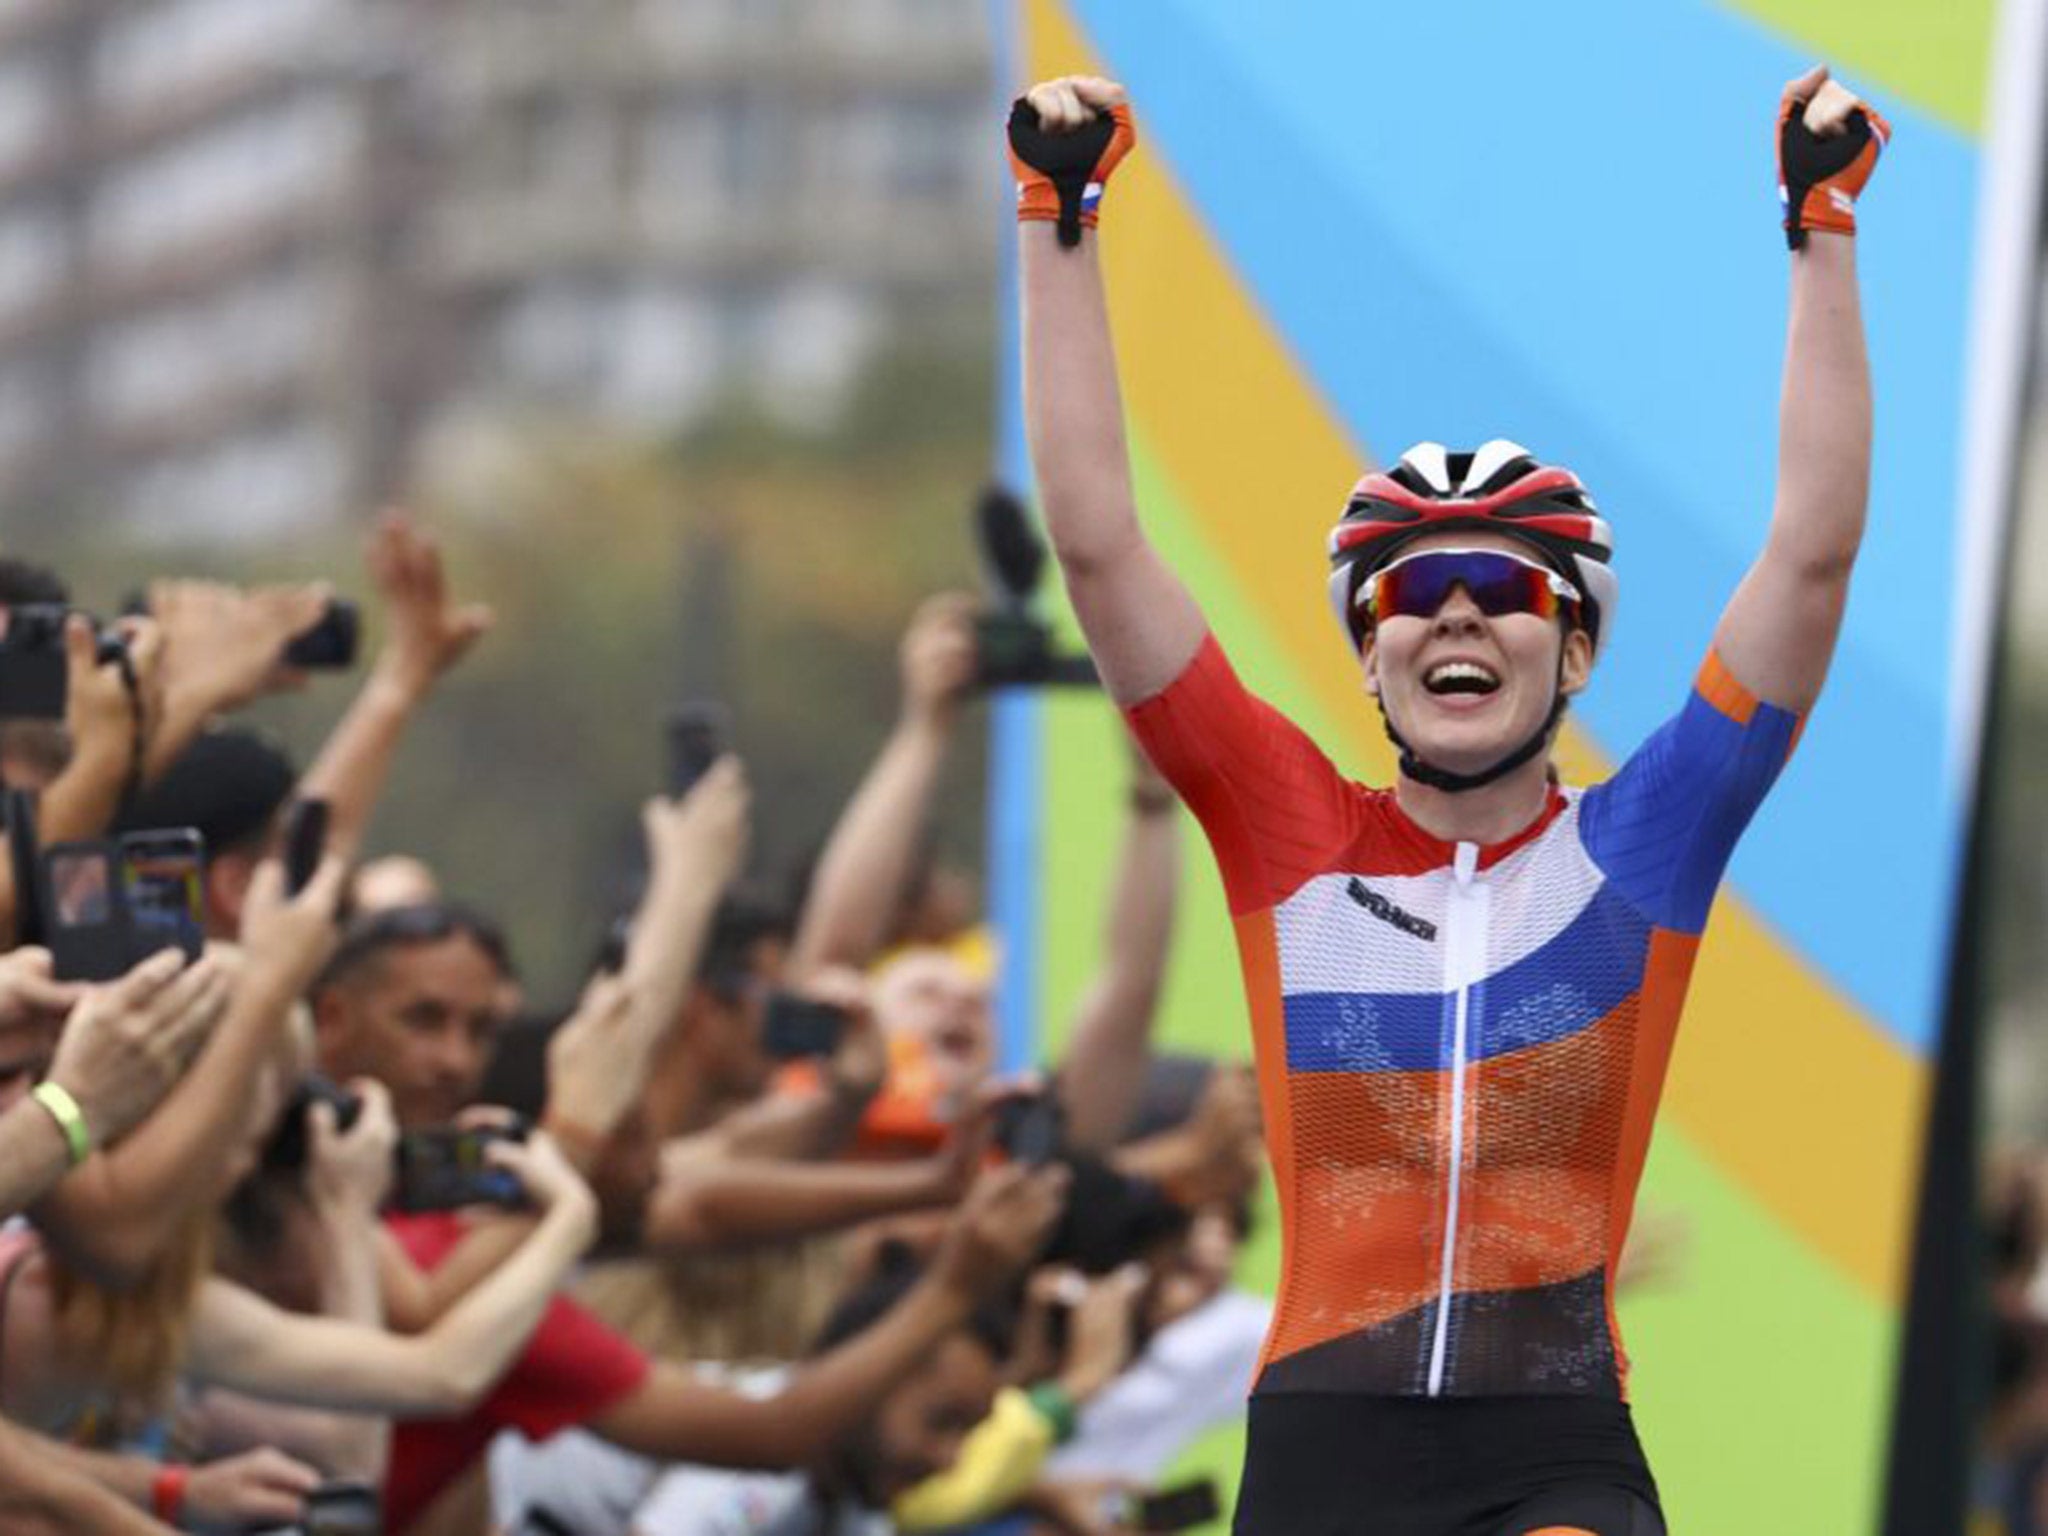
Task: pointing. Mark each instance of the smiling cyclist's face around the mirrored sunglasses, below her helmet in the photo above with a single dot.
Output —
(1467, 689)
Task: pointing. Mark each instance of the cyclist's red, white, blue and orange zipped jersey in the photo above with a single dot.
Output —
(1461, 1048)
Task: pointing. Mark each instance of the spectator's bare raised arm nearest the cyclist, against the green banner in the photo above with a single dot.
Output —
(1109, 1050)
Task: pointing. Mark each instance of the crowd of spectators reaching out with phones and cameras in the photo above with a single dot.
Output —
(314, 1224)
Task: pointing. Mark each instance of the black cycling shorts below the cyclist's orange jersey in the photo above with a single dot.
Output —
(1357, 1465)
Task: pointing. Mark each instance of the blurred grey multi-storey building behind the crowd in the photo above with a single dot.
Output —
(257, 253)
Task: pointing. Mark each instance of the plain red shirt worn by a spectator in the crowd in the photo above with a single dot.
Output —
(570, 1371)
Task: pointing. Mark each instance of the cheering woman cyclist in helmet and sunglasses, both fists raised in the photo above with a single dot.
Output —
(1465, 988)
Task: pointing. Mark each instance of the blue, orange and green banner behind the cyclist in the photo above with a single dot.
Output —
(1349, 228)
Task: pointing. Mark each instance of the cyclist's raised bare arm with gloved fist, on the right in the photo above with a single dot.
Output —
(1779, 632)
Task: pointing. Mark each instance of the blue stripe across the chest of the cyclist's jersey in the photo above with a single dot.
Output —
(1562, 988)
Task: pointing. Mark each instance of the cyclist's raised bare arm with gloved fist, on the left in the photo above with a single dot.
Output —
(1142, 624)
